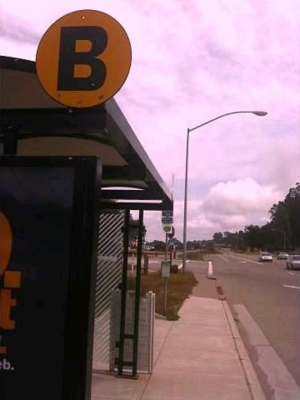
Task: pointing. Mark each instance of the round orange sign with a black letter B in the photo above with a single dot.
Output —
(83, 59)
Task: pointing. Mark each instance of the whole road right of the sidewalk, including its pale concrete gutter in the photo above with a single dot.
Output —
(265, 301)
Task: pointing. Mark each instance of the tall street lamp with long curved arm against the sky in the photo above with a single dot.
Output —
(258, 113)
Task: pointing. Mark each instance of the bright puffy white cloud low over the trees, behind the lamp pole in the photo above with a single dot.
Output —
(228, 206)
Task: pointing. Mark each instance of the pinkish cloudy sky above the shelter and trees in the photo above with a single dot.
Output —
(193, 60)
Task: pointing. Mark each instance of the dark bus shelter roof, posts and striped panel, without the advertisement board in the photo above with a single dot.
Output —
(34, 126)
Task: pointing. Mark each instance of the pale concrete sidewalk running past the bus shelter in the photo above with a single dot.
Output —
(200, 356)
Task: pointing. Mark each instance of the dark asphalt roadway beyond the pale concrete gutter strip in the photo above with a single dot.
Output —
(271, 294)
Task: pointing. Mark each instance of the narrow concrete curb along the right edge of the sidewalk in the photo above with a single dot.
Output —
(250, 374)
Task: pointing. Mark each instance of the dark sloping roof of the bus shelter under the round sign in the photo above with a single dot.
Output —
(44, 127)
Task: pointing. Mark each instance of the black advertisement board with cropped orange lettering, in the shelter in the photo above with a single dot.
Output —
(48, 230)
